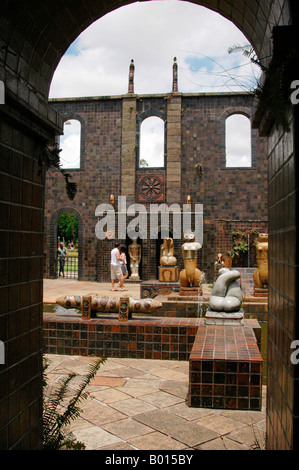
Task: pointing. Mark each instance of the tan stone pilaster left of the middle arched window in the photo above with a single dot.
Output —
(128, 149)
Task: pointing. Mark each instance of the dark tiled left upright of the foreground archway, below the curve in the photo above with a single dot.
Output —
(21, 285)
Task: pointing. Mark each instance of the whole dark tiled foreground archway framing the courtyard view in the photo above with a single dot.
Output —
(33, 37)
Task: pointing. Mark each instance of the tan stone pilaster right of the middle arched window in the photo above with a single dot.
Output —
(174, 151)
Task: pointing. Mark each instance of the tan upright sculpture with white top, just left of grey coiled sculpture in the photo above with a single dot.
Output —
(190, 275)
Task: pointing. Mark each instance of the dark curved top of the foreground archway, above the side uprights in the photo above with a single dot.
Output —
(38, 33)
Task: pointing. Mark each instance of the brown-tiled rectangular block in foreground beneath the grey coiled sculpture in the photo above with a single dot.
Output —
(226, 367)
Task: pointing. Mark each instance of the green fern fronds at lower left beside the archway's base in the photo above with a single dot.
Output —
(57, 417)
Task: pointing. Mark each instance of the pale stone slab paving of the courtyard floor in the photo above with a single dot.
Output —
(140, 404)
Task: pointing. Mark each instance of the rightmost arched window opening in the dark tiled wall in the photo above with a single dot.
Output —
(238, 141)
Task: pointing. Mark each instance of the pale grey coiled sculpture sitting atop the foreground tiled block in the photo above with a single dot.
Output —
(226, 295)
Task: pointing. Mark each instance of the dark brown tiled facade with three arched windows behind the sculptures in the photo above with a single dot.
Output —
(194, 134)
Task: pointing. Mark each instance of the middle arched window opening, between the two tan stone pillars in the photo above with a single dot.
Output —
(152, 138)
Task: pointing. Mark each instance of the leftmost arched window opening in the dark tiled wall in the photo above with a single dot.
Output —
(70, 143)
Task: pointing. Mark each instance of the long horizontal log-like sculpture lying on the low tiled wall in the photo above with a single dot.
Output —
(125, 305)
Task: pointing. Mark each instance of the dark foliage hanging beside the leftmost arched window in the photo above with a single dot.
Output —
(50, 158)
